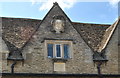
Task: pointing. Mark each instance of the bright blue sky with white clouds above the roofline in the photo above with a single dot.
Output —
(101, 12)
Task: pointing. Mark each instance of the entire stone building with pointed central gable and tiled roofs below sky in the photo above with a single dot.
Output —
(56, 45)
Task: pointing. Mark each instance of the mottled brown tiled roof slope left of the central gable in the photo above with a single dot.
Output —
(18, 30)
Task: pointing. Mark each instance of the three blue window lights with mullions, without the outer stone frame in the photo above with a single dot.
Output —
(58, 50)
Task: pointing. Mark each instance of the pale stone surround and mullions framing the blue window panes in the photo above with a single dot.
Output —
(61, 42)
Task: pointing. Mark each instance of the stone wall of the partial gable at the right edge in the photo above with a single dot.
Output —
(112, 55)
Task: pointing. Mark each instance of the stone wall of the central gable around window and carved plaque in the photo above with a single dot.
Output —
(36, 60)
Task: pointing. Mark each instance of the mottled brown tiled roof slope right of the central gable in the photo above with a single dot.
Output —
(91, 33)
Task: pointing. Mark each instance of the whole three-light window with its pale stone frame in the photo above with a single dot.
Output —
(59, 49)
